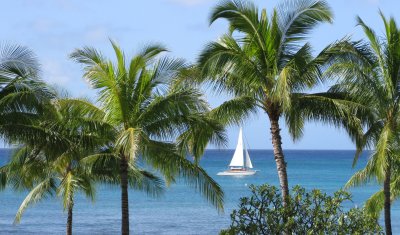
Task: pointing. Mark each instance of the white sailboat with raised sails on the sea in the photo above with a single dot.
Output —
(240, 163)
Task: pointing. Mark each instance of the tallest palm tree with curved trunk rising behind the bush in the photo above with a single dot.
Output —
(263, 63)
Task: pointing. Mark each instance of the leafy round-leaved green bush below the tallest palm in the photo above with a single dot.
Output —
(306, 213)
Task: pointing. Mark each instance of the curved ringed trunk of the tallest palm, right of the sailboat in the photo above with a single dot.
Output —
(279, 157)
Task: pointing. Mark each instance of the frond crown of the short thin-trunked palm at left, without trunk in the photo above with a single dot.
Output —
(48, 161)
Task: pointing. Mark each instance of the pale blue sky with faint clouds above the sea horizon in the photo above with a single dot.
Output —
(54, 28)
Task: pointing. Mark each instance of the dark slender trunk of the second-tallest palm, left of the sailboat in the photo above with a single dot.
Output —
(124, 196)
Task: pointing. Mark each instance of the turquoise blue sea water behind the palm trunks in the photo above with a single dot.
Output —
(181, 210)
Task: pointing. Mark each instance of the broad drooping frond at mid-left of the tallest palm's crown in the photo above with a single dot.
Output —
(231, 67)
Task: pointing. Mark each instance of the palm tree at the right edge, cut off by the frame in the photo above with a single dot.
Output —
(370, 73)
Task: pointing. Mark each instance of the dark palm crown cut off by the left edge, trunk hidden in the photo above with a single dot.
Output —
(23, 96)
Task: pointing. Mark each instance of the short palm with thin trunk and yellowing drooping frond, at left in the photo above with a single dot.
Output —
(54, 166)
